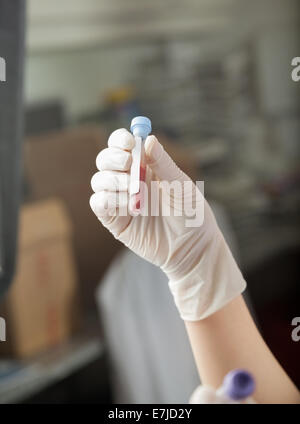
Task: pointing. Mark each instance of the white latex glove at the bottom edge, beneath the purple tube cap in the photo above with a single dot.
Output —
(208, 395)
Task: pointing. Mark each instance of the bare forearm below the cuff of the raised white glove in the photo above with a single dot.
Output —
(229, 339)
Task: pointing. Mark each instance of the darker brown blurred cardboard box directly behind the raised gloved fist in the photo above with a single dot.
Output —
(62, 164)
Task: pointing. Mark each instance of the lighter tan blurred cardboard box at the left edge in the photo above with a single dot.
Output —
(39, 307)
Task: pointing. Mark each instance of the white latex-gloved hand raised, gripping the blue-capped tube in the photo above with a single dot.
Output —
(202, 273)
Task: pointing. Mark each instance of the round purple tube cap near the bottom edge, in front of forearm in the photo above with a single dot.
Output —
(238, 384)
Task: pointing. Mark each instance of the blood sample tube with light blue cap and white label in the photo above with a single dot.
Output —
(140, 128)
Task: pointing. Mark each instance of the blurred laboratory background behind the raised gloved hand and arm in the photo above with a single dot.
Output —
(88, 321)
